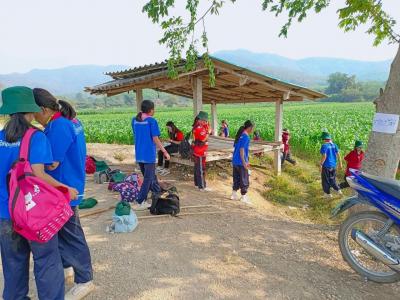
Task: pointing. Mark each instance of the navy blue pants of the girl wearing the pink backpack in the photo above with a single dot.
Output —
(15, 256)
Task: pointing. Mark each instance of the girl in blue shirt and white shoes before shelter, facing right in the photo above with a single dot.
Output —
(240, 162)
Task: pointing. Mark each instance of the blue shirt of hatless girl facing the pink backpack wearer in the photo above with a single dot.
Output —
(67, 140)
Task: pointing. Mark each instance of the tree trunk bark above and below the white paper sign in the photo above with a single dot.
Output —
(383, 153)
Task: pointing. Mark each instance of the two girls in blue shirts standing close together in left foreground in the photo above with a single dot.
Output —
(57, 156)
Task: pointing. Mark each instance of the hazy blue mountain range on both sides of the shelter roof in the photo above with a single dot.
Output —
(310, 72)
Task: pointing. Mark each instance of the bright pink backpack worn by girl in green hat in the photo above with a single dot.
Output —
(38, 210)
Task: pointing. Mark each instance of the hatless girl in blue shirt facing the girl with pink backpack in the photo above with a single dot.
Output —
(67, 139)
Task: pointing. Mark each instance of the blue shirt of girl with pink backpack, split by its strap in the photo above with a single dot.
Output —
(40, 153)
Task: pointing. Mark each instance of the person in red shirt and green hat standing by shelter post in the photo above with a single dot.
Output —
(201, 131)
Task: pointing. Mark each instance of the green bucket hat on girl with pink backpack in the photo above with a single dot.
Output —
(18, 99)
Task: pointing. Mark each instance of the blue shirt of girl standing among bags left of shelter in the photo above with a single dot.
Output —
(144, 131)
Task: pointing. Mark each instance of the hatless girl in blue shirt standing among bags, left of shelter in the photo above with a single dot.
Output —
(147, 138)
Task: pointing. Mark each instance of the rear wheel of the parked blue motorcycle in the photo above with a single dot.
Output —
(370, 222)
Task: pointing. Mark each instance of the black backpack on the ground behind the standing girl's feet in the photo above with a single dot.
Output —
(165, 203)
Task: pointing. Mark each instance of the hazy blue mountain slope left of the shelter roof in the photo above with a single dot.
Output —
(64, 81)
